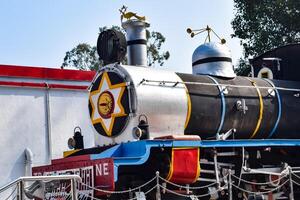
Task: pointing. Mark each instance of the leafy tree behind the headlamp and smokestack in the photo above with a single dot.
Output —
(84, 56)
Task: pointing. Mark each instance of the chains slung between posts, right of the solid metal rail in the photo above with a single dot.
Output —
(229, 185)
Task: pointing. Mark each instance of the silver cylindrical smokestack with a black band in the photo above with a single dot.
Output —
(136, 41)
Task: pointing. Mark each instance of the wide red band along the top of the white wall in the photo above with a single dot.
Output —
(45, 73)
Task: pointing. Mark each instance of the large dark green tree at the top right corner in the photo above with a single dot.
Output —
(266, 24)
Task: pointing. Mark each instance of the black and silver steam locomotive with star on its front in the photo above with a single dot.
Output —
(147, 120)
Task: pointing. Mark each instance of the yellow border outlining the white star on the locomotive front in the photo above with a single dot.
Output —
(114, 115)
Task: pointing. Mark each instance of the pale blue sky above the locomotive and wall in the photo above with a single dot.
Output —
(39, 32)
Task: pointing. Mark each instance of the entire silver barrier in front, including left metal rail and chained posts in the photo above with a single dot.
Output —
(159, 185)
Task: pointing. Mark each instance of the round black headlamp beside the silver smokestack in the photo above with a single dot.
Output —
(111, 46)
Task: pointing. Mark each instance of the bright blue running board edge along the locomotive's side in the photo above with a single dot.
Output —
(134, 157)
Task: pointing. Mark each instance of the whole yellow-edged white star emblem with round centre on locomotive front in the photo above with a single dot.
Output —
(106, 103)
